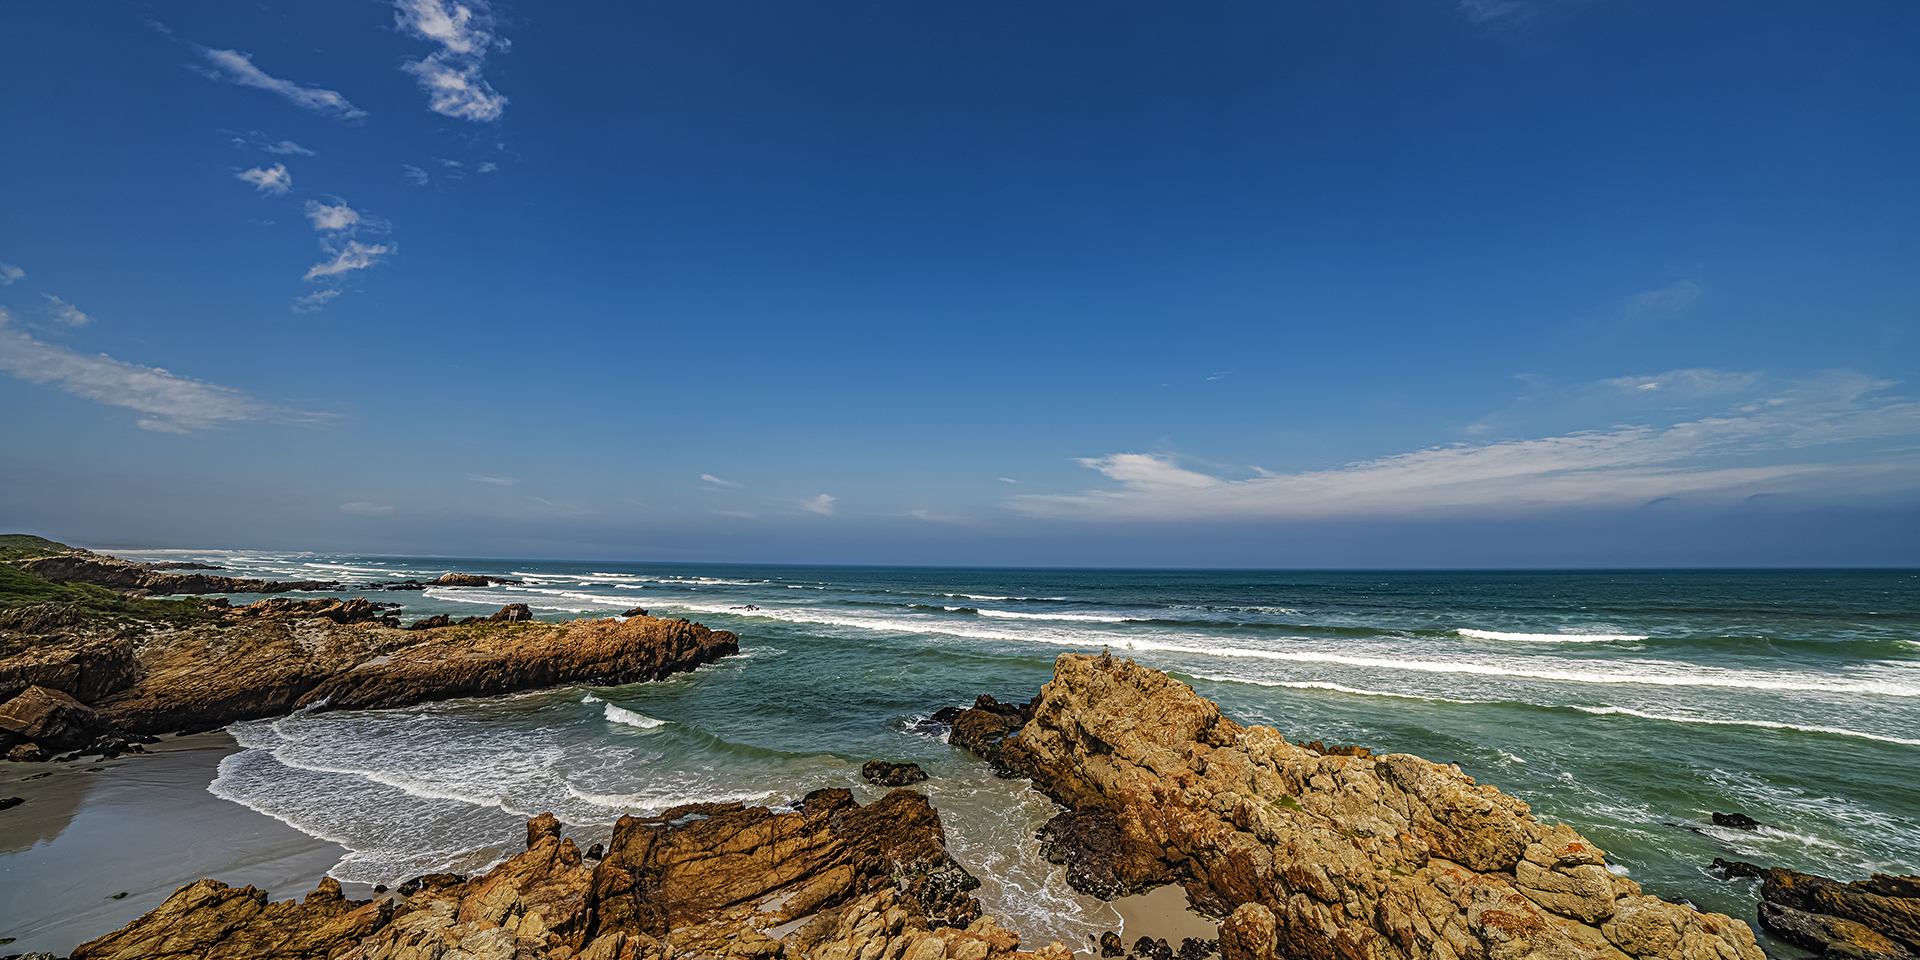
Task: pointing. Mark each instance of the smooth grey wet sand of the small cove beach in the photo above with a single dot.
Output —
(135, 828)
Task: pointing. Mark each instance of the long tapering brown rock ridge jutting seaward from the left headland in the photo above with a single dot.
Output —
(208, 677)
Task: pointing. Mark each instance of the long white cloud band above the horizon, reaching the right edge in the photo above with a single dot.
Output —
(1785, 443)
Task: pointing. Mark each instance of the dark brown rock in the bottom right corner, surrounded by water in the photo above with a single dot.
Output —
(1863, 921)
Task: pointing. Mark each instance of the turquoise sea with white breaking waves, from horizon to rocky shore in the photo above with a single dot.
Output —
(1631, 706)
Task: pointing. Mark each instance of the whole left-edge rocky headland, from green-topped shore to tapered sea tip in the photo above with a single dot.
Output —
(87, 667)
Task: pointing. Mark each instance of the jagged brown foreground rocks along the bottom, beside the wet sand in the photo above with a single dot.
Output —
(708, 882)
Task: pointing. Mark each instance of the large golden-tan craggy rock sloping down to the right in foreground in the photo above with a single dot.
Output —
(1351, 857)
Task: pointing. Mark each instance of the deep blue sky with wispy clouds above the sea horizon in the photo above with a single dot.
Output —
(1305, 283)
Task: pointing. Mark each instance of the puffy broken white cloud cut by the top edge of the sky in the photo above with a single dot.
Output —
(452, 74)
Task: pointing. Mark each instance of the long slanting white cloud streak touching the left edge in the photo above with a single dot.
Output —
(174, 404)
